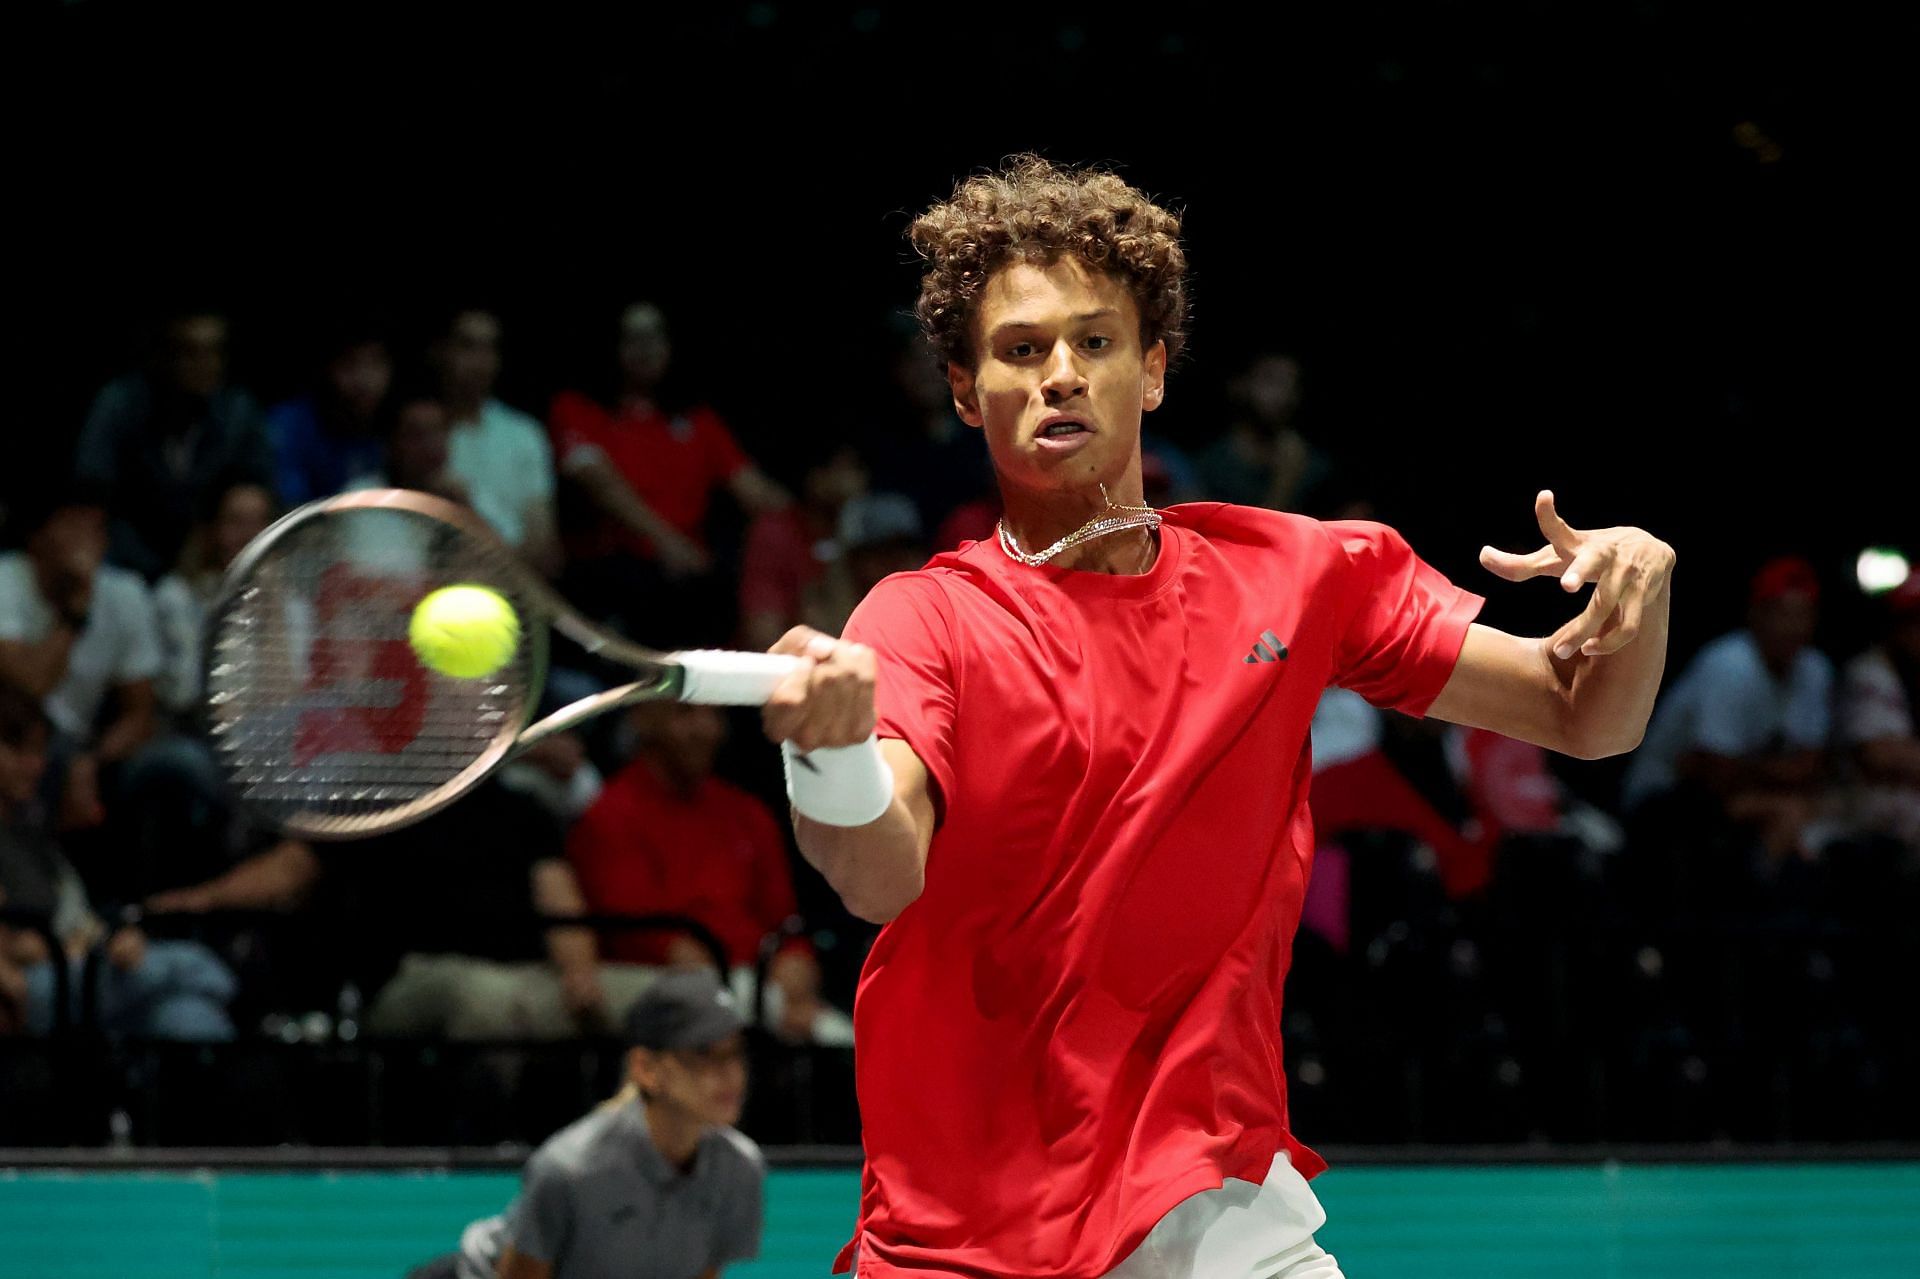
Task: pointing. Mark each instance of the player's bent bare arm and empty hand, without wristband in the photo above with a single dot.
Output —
(1589, 688)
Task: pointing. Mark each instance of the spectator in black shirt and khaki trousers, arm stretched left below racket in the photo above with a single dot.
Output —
(441, 919)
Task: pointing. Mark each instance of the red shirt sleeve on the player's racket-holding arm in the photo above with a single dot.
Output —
(907, 623)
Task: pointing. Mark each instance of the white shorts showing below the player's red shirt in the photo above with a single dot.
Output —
(1239, 1232)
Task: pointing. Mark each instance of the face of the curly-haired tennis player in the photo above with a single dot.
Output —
(1061, 377)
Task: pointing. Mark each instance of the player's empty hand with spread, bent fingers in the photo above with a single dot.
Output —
(1627, 567)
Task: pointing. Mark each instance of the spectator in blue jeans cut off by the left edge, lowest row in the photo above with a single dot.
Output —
(160, 990)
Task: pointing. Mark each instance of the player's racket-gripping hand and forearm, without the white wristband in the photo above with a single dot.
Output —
(876, 869)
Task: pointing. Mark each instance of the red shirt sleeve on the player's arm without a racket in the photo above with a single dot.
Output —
(1403, 621)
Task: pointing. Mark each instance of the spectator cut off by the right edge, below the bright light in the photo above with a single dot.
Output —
(1881, 723)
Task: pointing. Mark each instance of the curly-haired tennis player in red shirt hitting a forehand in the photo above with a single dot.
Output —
(1086, 815)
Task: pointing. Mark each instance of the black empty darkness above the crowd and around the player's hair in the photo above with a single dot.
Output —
(1648, 254)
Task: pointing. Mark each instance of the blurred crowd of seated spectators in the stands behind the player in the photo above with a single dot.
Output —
(1769, 763)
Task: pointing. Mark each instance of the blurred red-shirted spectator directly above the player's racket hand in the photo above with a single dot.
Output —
(792, 552)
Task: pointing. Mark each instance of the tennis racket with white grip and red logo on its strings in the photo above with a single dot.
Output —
(324, 719)
